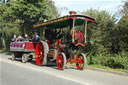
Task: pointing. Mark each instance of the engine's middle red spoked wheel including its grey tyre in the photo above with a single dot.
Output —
(61, 61)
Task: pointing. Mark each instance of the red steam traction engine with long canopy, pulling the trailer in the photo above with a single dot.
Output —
(63, 37)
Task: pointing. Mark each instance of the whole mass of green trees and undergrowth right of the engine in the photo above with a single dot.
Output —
(108, 39)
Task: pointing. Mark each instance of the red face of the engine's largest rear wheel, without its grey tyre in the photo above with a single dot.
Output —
(39, 54)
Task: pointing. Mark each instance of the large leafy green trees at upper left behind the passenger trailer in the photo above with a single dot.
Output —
(22, 14)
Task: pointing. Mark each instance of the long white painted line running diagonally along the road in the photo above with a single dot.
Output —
(40, 70)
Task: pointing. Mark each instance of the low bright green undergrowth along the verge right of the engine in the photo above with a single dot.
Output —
(113, 61)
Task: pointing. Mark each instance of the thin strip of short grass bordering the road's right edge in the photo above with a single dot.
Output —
(108, 68)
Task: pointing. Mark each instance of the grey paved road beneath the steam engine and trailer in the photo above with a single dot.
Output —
(18, 73)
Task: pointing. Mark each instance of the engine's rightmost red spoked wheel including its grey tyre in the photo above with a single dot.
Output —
(81, 61)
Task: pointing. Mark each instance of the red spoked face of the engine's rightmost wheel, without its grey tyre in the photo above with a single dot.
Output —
(80, 62)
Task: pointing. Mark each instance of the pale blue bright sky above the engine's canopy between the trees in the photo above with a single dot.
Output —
(111, 6)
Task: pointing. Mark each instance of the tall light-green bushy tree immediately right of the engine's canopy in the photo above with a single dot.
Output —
(99, 32)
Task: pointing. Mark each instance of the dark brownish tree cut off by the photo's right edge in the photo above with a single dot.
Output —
(122, 28)
